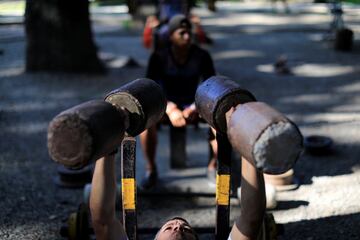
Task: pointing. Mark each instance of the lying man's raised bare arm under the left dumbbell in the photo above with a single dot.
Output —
(102, 201)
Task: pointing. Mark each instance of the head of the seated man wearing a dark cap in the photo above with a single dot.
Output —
(180, 30)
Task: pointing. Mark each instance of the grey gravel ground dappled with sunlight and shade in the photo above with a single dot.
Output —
(322, 96)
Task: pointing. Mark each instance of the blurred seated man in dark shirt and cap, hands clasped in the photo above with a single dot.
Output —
(178, 69)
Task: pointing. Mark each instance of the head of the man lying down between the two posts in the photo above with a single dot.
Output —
(176, 229)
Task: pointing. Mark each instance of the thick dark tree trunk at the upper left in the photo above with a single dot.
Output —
(59, 37)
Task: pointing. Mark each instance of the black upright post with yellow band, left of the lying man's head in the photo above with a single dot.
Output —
(128, 186)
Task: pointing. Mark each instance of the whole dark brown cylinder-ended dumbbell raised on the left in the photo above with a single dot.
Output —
(86, 132)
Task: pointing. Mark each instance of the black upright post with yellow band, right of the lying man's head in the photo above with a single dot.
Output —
(223, 187)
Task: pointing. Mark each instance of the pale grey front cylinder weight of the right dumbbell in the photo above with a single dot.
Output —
(265, 137)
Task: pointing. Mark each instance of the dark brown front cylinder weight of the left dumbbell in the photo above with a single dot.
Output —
(86, 132)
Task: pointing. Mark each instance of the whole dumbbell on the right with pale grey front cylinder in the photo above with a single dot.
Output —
(258, 132)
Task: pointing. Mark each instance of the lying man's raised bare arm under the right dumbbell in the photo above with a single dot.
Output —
(253, 203)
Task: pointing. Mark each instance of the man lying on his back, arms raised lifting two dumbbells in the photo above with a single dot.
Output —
(248, 225)
